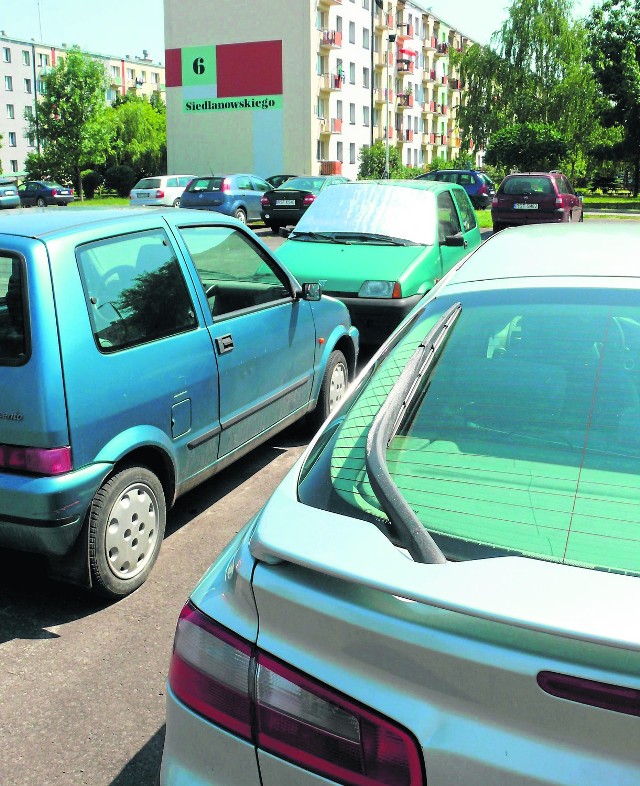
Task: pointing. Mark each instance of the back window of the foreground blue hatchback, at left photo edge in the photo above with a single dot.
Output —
(13, 330)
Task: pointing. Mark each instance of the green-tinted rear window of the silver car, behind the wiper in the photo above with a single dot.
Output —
(524, 439)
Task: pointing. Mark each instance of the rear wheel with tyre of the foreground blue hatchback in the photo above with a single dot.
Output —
(126, 527)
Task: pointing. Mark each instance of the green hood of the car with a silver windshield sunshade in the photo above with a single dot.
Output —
(344, 267)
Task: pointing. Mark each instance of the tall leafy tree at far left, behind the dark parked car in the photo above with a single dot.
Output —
(68, 121)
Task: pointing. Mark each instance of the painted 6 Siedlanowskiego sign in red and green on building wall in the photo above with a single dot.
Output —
(227, 77)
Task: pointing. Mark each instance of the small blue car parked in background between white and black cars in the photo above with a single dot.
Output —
(236, 195)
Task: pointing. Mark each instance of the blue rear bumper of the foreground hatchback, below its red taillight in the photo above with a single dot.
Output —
(44, 515)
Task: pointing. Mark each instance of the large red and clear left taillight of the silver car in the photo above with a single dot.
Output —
(229, 682)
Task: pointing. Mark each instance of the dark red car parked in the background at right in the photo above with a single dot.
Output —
(535, 198)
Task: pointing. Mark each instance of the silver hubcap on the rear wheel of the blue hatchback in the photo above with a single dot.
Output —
(131, 531)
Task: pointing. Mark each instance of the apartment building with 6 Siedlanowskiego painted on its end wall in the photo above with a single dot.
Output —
(302, 85)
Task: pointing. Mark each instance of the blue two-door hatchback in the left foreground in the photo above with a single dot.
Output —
(141, 351)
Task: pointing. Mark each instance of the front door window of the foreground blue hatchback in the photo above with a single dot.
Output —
(235, 274)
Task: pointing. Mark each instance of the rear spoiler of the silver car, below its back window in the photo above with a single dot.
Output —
(565, 601)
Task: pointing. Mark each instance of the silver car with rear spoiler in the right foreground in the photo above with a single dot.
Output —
(445, 589)
